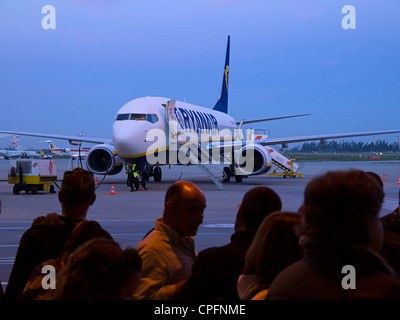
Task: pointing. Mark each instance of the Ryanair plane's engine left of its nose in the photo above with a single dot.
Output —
(103, 159)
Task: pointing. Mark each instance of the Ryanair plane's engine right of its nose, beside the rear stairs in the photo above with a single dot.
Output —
(253, 159)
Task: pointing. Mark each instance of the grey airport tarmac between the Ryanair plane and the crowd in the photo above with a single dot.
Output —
(128, 216)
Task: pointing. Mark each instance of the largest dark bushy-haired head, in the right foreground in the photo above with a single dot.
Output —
(341, 208)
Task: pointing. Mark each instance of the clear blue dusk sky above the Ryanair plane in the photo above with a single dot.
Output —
(287, 57)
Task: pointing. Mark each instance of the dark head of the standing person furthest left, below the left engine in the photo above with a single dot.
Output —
(77, 191)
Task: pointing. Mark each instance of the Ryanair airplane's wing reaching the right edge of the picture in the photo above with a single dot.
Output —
(268, 142)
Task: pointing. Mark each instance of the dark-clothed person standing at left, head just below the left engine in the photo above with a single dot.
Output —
(46, 237)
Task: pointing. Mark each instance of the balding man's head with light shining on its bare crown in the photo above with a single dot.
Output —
(184, 207)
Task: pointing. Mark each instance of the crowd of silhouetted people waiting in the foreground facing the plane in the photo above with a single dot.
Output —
(334, 247)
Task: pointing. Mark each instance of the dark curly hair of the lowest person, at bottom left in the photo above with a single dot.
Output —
(97, 270)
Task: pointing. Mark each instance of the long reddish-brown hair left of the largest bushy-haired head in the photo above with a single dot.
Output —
(274, 247)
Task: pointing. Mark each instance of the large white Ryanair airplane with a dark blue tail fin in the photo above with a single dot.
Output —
(146, 130)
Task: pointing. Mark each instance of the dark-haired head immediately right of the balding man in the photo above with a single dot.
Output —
(257, 203)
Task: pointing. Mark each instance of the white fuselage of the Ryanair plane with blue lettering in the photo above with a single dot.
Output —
(136, 118)
